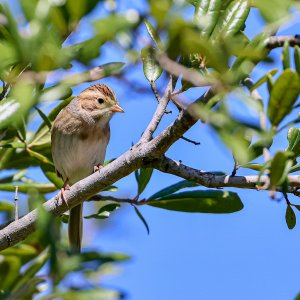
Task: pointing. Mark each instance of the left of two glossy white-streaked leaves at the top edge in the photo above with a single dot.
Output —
(206, 15)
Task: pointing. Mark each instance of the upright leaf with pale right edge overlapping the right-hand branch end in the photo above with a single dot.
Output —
(279, 169)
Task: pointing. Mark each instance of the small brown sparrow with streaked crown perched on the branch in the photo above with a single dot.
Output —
(79, 137)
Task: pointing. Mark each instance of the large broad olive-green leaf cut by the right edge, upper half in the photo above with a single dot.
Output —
(283, 96)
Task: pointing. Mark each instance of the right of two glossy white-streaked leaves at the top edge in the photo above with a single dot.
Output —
(232, 20)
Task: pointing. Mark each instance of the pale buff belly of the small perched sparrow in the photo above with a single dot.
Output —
(75, 159)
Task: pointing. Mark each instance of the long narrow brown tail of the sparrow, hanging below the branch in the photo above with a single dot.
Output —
(75, 228)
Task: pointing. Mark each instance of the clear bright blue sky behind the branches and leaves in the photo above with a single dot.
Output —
(246, 255)
